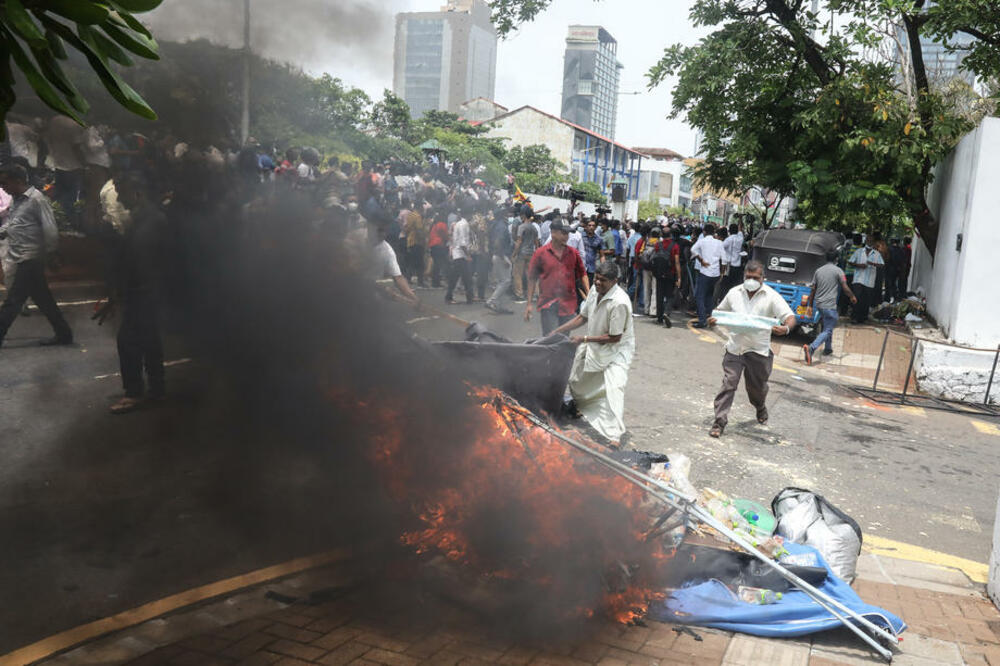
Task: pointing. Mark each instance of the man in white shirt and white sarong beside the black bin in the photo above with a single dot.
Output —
(600, 369)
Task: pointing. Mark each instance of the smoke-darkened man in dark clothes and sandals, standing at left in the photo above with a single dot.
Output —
(138, 274)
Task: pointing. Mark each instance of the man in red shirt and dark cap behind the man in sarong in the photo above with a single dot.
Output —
(555, 269)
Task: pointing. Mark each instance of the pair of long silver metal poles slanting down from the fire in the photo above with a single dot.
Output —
(677, 499)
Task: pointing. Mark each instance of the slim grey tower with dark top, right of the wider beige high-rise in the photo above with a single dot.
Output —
(591, 76)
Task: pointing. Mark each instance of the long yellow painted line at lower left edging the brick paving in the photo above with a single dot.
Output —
(87, 632)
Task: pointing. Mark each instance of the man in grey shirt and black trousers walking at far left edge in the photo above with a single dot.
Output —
(32, 235)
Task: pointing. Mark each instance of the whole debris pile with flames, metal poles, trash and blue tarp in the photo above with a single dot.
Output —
(542, 524)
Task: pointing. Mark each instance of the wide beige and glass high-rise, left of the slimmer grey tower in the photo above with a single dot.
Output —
(445, 58)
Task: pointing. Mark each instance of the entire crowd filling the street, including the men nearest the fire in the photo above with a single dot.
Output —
(428, 224)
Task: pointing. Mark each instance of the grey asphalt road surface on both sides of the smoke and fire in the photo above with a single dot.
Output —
(101, 514)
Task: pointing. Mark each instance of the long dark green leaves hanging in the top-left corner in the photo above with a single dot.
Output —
(36, 35)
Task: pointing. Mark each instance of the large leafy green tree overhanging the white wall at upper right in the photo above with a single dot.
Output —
(807, 104)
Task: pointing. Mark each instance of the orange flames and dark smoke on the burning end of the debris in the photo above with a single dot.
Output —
(550, 534)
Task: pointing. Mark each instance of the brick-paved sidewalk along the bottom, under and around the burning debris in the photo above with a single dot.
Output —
(950, 622)
